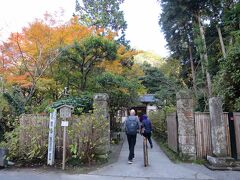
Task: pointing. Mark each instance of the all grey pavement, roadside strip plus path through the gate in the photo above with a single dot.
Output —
(160, 168)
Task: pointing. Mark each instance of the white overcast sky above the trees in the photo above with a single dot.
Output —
(141, 15)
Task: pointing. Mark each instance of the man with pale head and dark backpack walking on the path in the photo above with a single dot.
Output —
(131, 126)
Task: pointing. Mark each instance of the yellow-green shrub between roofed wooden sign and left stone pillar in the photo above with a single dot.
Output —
(89, 138)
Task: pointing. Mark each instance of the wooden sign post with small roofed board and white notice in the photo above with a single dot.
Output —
(65, 112)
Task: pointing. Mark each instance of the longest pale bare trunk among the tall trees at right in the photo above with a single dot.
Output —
(205, 57)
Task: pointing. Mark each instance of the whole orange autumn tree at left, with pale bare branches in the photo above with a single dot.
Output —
(27, 58)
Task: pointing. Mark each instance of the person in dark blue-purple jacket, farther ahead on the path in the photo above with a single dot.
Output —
(146, 129)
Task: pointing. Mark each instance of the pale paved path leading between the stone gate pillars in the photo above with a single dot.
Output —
(160, 166)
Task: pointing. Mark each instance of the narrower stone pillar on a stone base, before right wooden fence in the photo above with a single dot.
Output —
(218, 131)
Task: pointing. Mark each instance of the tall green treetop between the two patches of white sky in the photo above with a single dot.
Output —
(103, 14)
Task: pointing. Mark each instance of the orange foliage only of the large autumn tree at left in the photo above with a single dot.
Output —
(35, 48)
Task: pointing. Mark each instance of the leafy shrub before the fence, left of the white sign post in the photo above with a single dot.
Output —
(24, 150)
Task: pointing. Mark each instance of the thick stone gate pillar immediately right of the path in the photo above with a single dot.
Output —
(186, 125)
